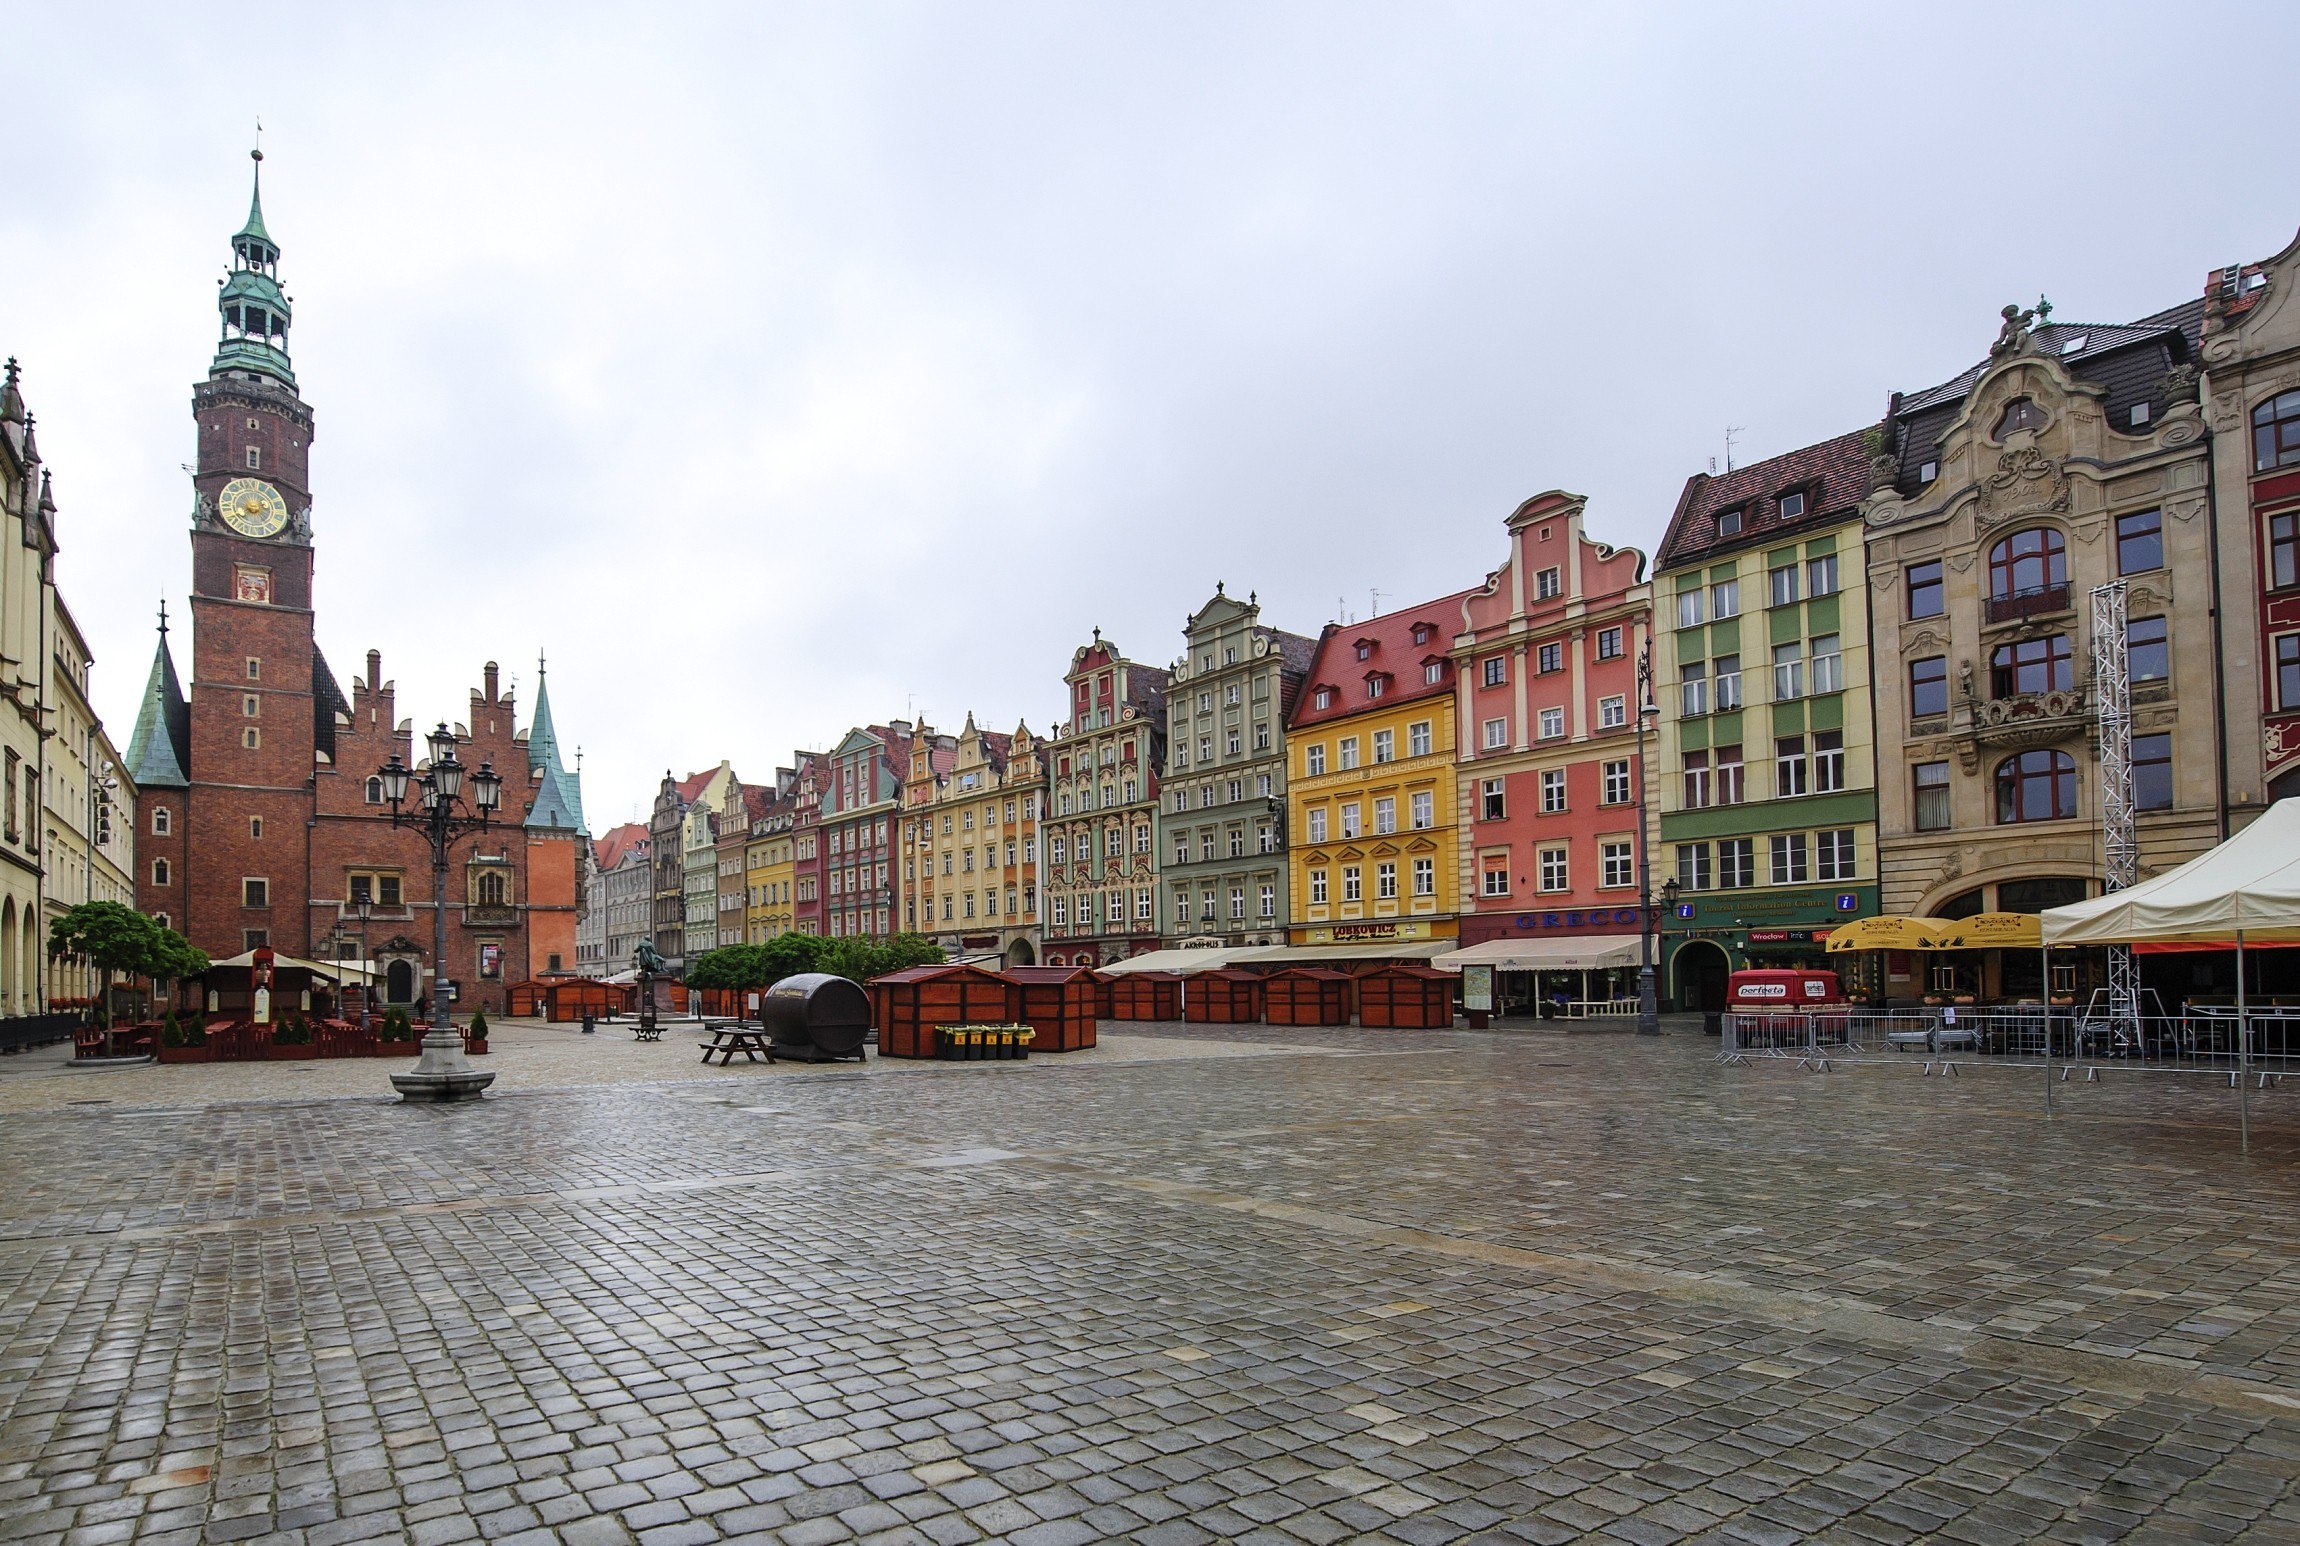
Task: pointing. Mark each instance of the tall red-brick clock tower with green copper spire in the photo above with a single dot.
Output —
(256, 684)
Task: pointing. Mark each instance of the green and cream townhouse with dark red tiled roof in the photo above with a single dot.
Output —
(1768, 767)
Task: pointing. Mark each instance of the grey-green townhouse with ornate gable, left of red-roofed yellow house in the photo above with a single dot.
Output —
(1222, 825)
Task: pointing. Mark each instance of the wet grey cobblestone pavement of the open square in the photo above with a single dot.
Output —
(1395, 1287)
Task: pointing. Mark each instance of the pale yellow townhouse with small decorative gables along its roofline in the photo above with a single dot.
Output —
(969, 834)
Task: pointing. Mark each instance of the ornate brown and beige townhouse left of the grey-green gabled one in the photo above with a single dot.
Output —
(1103, 809)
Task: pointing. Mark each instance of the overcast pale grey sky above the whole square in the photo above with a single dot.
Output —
(792, 367)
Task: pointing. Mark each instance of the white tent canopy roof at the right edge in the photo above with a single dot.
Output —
(2248, 885)
